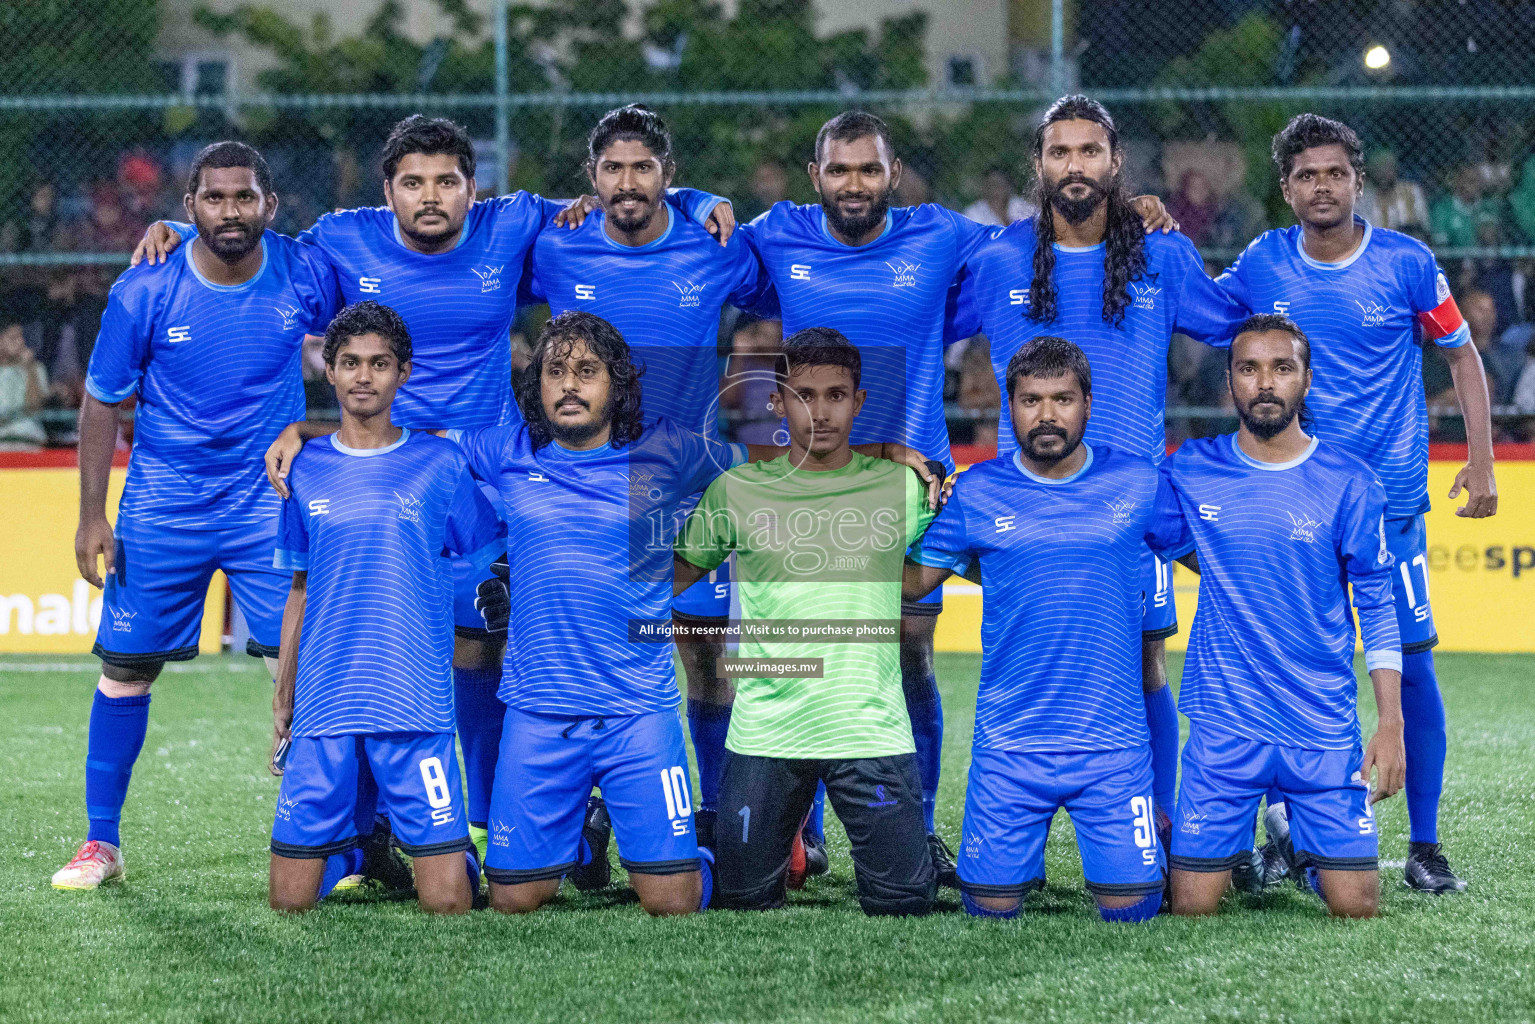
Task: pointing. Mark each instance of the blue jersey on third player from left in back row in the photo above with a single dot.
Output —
(664, 297)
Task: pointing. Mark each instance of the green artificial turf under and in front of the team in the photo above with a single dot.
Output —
(190, 939)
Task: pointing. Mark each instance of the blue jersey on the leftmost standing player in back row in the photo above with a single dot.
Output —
(217, 374)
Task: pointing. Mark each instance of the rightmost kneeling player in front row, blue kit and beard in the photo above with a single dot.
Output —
(1284, 526)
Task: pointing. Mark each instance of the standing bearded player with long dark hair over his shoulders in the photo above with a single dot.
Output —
(1084, 268)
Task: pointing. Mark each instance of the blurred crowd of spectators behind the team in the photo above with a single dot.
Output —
(50, 312)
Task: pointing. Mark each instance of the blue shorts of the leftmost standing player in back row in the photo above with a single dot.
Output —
(153, 606)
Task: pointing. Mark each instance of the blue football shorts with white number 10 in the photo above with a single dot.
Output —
(544, 778)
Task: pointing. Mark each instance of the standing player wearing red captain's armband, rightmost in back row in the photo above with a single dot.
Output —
(1365, 294)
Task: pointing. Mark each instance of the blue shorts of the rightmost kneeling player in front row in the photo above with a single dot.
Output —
(1226, 776)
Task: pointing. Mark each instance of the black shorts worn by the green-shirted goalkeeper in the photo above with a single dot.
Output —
(879, 801)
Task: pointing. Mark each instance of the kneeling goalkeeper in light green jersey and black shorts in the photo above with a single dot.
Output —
(819, 538)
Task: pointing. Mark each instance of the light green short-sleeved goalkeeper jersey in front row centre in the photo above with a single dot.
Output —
(819, 572)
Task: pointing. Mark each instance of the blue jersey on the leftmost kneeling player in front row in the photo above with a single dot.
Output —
(374, 530)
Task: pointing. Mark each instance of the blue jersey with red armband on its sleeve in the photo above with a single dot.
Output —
(1364, 317)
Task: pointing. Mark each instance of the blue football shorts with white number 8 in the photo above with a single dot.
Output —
(326, 791)
